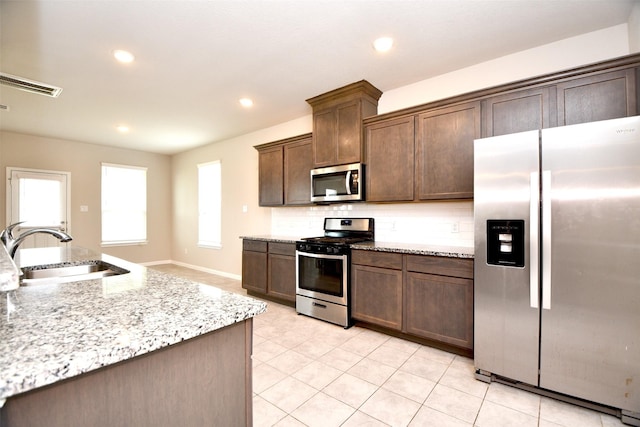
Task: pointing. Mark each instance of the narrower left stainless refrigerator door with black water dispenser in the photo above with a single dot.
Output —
(506, 296)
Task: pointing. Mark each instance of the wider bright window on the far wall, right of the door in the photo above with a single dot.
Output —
(124, 204)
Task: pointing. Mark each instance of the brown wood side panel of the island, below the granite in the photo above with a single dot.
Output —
(202, 381)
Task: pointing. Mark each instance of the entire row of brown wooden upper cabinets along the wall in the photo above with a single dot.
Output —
(425, 152)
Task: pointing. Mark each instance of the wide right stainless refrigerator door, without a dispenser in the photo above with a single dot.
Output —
(590, 324)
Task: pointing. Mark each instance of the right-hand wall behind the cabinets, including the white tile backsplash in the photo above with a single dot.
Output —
(431, 222)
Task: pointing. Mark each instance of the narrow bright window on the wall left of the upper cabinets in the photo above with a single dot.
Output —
(210, 204)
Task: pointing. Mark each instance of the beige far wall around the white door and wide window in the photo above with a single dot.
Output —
(83, 161)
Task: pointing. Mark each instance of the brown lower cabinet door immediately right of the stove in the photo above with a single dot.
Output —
(376, 296)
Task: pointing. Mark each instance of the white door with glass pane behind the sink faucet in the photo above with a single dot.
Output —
(38, 198)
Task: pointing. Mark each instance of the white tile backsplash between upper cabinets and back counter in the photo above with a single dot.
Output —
(435, 223)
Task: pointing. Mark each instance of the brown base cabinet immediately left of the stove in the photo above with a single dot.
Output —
(282, 271)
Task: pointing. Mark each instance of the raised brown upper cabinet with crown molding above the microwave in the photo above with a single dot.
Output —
(337, 123)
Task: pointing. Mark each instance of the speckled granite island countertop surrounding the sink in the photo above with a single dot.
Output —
(54, 332)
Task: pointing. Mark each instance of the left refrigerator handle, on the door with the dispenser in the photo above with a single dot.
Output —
(534, 237)
